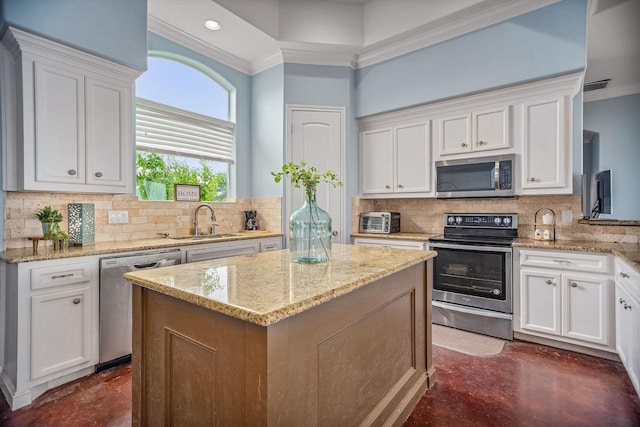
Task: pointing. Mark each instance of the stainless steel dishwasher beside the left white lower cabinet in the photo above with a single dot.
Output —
(115, 301)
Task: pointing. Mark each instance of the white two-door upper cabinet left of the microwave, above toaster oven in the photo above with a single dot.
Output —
(396, 160)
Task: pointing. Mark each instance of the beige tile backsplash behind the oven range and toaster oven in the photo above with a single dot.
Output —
(425, 215)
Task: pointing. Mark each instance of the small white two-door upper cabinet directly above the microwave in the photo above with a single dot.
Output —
(474, 131)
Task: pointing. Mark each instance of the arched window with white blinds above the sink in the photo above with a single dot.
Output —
(183, 130)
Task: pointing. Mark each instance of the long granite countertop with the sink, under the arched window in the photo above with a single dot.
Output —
(13, 256)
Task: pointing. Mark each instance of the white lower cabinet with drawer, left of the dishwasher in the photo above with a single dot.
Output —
(51, 325)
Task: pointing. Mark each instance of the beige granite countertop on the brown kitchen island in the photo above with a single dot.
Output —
(267, 287)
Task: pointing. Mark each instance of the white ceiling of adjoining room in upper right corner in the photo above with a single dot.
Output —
(613, 48)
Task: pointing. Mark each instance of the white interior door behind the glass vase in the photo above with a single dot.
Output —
(316, 135)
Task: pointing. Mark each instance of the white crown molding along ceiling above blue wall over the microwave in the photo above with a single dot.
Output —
(473, 19)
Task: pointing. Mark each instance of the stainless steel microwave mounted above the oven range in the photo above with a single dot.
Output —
(477, 177)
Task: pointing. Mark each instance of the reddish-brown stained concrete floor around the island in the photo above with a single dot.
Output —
(526, 385)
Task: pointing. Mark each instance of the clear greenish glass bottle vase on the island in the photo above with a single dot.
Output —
(310, 232)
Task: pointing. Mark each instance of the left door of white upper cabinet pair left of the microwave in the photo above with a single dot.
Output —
(376, 165)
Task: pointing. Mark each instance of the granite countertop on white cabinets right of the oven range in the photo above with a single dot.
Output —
(628, 252)
